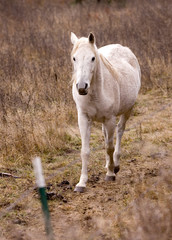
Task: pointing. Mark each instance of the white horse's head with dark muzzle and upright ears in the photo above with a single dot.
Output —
(84, 61)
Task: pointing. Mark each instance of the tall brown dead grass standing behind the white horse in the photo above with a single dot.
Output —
(36, 106)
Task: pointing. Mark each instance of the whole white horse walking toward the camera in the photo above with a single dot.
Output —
(106, 82)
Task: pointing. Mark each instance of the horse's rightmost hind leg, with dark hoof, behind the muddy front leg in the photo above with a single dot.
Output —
(119, 133)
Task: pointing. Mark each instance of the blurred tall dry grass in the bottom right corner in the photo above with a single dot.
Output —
(150, 217)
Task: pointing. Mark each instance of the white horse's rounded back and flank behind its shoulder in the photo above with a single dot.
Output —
(127, 67)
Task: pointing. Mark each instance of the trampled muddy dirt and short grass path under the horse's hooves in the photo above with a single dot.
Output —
(102, 211)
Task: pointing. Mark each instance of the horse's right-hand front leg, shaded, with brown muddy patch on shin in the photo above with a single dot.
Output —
(108, 130)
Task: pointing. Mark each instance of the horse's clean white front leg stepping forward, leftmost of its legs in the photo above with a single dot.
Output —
(84, 127)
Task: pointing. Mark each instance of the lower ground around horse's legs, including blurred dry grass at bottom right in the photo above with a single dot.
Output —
(136, 206)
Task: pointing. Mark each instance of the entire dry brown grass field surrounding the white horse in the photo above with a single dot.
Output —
(38, 117)
